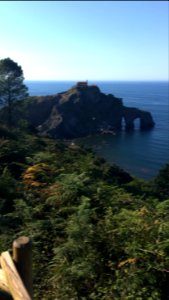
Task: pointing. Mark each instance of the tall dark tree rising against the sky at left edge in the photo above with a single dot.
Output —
(11, 84)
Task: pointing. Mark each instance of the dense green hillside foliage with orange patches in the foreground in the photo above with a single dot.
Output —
(97, 232)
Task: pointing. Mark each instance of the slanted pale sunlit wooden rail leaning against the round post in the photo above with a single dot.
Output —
(15, 284)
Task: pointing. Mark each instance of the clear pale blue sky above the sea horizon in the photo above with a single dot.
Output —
(79, 40)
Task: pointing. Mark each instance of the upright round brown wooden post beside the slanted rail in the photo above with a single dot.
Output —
(22, 257)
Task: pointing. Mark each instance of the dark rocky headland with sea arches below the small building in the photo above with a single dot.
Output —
(82, 111)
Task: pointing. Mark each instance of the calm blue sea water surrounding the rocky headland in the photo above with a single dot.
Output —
(142, 153)
